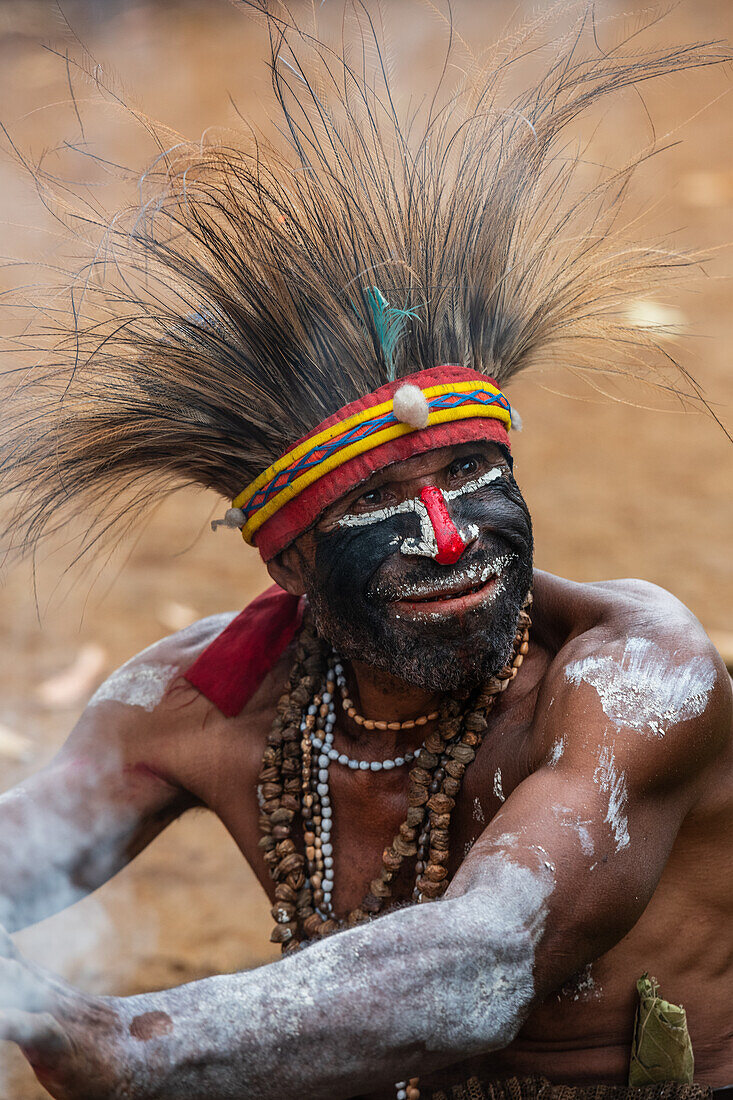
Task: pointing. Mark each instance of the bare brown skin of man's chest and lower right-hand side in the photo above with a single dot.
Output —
(368, 810)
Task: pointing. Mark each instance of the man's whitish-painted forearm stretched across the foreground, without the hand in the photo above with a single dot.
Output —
(411, 993)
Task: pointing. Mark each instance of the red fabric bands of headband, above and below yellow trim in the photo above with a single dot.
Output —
(300, 514)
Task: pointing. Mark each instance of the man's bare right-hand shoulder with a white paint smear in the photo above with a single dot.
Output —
(633, 665)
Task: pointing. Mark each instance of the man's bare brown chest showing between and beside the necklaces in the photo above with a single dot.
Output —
(368, 808)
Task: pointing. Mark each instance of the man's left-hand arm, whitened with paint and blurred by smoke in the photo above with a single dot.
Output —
(75, 823)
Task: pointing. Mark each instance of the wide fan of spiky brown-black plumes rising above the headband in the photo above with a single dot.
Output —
(262, 284)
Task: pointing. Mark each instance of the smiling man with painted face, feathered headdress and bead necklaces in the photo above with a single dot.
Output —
(507, 794)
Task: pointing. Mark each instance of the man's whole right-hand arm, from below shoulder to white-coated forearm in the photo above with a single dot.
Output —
(428, 986)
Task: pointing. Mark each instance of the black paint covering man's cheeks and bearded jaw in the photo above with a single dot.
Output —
(360, 577)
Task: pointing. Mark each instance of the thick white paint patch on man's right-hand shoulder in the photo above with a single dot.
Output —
(647, 690)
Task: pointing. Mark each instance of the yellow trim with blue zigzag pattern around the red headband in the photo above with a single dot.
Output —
(344, 441)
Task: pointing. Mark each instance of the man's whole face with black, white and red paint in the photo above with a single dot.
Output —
(422, 571)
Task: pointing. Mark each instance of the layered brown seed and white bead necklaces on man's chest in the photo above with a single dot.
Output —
(294, 779)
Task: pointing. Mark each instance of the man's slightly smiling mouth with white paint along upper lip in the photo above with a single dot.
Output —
(461, 592)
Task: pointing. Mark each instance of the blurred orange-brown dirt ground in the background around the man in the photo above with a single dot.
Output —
(616, 491)
